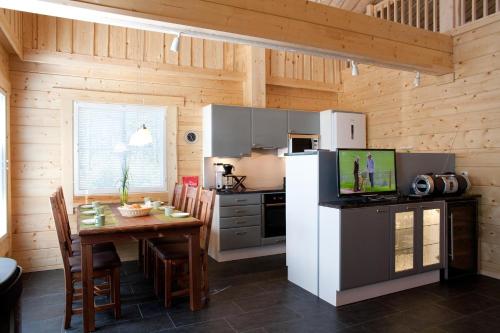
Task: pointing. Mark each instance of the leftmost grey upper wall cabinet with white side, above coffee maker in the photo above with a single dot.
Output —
(227, 131)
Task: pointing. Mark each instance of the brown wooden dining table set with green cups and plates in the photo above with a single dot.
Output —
(154, 225)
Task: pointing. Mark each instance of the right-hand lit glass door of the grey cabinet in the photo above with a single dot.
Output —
(431, 249)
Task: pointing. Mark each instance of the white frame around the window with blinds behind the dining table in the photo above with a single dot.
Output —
(108, 106)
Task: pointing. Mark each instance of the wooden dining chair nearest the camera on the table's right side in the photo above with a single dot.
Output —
(177, 255)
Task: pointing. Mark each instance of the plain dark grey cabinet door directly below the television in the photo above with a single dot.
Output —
(365, 246)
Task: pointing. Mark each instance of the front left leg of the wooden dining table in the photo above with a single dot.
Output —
(88, 288)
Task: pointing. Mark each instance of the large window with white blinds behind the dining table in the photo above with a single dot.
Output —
(101, 137)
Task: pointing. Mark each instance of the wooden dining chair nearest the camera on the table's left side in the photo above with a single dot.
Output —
(106, 265)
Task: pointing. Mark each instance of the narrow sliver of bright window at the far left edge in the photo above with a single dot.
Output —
(3, 164)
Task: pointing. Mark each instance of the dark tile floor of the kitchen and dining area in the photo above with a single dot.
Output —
(254, 296)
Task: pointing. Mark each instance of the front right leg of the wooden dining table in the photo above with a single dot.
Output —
(194, 270)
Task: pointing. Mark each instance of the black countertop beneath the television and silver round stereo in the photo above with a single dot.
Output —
(365, 202)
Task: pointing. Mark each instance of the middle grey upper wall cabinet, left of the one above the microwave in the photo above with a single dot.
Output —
(269, 128)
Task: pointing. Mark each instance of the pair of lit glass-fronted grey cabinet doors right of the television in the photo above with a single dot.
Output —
(417, 238)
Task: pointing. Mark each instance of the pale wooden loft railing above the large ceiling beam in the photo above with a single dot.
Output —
(434, 15)
